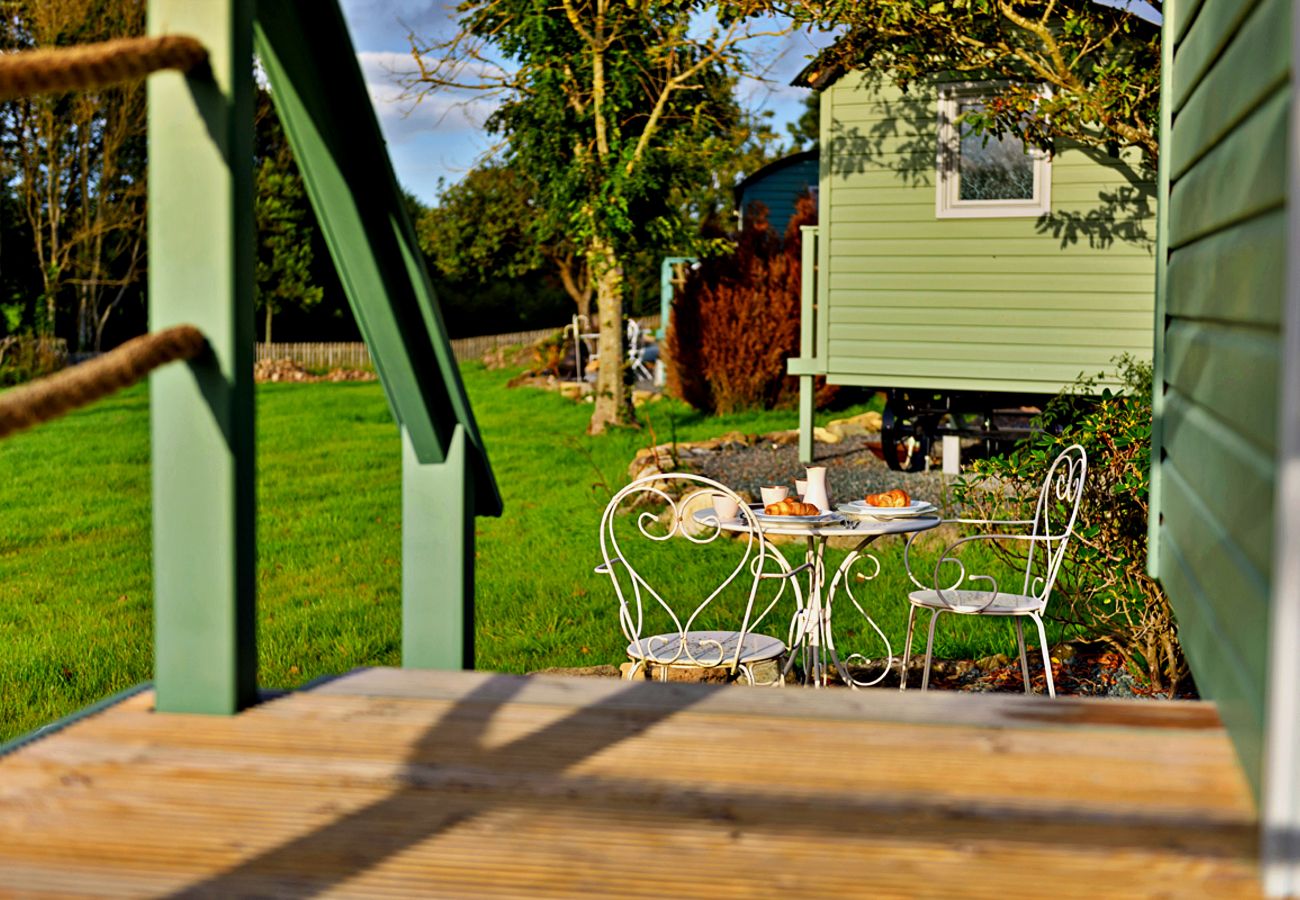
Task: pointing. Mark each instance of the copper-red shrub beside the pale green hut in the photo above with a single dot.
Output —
(736, 321)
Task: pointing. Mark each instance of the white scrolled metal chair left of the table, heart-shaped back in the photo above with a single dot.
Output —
(662, 621)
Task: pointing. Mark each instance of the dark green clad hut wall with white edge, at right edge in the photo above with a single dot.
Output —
(1225, 507)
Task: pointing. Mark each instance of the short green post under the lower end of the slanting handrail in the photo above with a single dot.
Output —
(437, 559)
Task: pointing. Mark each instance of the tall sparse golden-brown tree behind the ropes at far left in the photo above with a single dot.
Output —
(77, 165)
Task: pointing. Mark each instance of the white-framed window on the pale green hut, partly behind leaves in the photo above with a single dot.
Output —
(982, 176)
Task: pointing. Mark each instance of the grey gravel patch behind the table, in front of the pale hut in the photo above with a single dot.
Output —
(853, 471)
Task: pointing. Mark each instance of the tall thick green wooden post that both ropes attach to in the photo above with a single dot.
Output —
(201, 272)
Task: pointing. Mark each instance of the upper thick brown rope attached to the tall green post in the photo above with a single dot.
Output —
(89, 67)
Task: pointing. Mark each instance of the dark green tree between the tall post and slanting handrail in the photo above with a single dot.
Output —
(285, 224)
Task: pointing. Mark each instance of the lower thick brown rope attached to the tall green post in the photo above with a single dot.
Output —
(81, 386)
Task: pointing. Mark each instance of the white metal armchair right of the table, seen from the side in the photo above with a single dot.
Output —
(1050, 533)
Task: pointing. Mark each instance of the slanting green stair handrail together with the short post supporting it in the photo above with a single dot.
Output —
(322, 99)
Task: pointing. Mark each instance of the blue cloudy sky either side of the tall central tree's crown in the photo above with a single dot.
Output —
(441, 137)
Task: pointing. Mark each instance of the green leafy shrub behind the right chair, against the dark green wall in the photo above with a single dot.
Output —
(1103, 589)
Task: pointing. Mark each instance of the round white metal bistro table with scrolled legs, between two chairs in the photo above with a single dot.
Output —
(812, 629)
